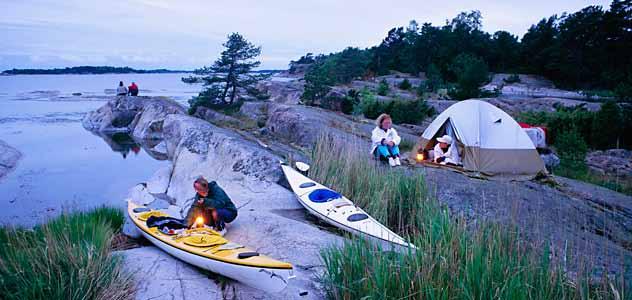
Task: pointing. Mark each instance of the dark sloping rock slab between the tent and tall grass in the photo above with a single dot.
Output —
(584, 222)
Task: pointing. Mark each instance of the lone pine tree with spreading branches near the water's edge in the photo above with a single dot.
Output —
(229, 74)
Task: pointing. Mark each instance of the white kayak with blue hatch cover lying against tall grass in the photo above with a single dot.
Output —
(339, 211)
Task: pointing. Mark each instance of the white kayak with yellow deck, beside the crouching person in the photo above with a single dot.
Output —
(208, 250)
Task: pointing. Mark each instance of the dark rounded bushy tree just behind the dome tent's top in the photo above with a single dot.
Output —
(470, 72)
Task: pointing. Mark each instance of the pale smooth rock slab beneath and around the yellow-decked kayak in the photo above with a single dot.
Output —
(270, 219)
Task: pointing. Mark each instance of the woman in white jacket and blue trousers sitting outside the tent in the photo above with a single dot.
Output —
(385, 141)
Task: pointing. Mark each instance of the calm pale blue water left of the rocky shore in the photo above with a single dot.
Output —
(65, 167)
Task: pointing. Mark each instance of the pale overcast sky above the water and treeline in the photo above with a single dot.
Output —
(186, 34)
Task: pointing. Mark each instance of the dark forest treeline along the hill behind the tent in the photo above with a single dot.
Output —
(588, 49)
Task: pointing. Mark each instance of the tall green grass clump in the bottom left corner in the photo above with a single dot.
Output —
(67, 258)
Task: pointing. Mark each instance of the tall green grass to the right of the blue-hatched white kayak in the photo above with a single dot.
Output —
(454, 260)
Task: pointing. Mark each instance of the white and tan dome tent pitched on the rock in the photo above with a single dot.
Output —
(488, 140)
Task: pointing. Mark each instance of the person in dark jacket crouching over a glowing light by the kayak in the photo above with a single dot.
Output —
(212, 204)
